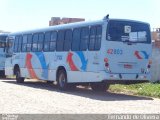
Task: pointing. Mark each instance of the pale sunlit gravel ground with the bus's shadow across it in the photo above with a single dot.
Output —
(40, 97)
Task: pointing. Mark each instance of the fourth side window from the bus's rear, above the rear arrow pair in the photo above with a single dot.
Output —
(76, 39)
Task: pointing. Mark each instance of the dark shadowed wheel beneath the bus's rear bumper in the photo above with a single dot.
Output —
(99, 87)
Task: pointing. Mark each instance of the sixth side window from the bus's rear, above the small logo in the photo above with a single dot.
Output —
(60, 41)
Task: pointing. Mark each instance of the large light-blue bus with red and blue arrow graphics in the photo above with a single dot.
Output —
(94, 53)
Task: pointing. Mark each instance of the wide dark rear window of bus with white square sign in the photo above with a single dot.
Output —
(128, 31)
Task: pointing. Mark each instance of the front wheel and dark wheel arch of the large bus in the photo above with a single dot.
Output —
(17, 72)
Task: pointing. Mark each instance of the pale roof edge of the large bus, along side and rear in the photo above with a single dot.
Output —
(70, 25)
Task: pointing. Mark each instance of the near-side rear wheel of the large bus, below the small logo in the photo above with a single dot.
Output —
(62, 80)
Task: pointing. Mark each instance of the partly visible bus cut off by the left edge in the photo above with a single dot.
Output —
(3, 37)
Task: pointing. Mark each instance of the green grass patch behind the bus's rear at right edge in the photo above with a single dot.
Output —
(144, 89)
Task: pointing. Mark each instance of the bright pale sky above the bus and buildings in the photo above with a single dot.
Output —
(17, 15)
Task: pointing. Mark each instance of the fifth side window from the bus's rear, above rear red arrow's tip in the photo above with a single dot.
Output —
(68, 40)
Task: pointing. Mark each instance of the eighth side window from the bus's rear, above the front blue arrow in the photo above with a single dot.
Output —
(47, 41)
